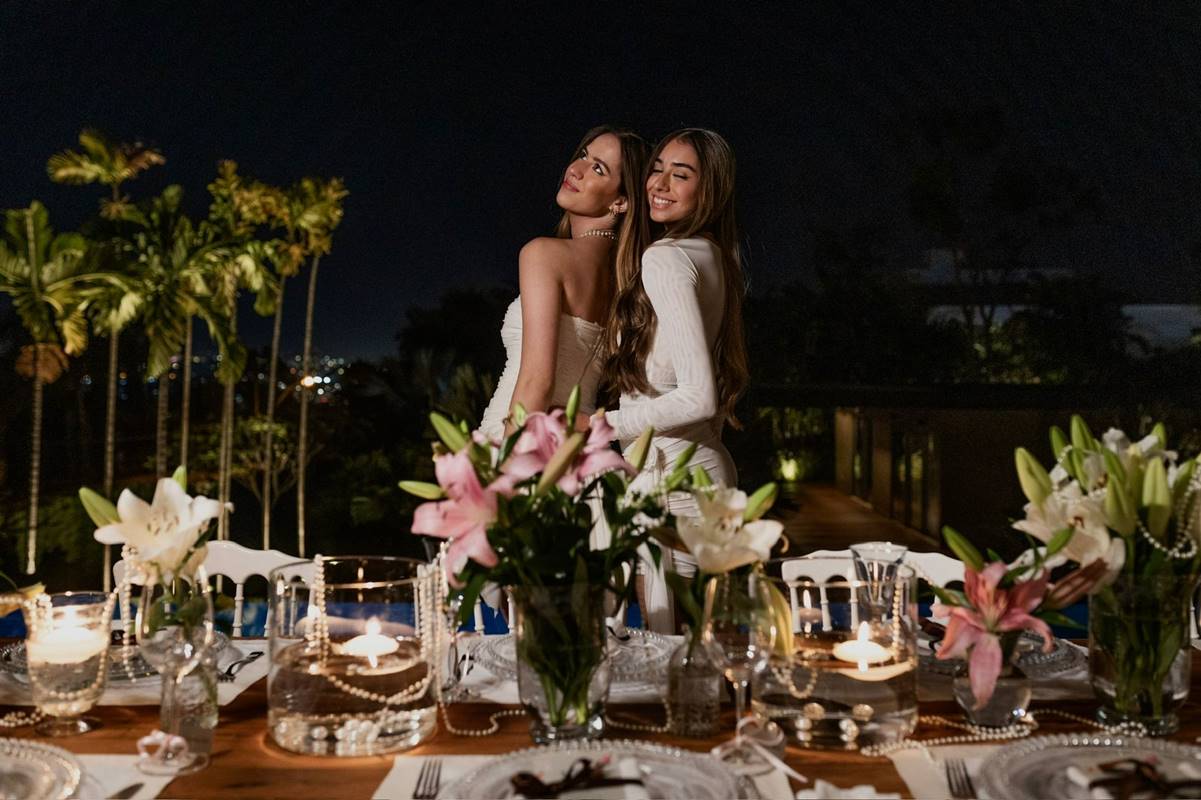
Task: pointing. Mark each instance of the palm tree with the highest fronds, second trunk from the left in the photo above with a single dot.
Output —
(106, 163)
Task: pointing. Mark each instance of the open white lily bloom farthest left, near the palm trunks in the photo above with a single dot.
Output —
(163, 535)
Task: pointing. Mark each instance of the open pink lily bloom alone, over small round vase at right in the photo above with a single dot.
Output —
(991, 611)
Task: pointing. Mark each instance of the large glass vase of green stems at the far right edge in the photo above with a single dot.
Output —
(1139, 660)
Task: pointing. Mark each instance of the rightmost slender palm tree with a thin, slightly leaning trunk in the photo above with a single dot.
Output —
(326, 199)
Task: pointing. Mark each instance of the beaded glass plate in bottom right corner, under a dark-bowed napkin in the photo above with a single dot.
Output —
(1038, 767)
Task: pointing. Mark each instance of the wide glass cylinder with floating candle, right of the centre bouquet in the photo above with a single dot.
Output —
(849, 676)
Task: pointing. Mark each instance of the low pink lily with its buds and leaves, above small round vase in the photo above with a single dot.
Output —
(1000, 601)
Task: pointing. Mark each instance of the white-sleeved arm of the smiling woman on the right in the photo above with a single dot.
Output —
(672, 284)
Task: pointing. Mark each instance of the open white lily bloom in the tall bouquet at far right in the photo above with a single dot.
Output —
(1071, 508)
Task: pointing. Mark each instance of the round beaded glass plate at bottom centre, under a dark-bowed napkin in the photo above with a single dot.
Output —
(667, 773)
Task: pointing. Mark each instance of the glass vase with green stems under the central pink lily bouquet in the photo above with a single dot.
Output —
(563, 661)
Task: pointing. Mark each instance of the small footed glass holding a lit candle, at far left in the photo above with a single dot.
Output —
(67, 649)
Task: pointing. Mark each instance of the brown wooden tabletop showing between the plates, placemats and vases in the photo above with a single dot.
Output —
(247, 765)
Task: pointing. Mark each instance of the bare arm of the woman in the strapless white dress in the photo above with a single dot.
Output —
(542, 292)
